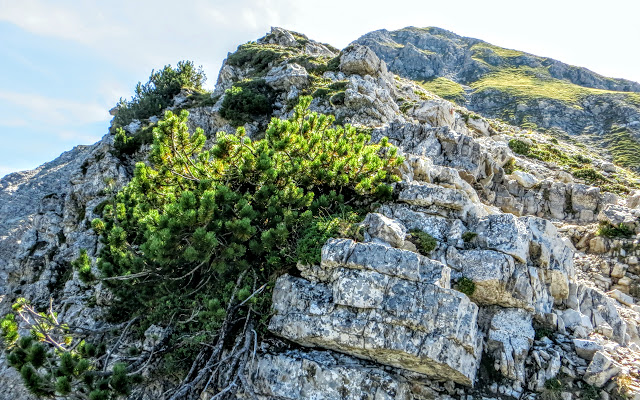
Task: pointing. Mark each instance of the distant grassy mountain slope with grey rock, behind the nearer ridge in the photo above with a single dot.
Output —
(519, 88)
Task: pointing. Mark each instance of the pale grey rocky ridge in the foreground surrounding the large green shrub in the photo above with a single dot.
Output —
(553, 310)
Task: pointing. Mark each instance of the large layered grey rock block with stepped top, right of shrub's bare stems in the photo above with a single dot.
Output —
(388, 305)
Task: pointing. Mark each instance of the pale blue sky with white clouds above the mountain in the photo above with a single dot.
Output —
(66, 63)
